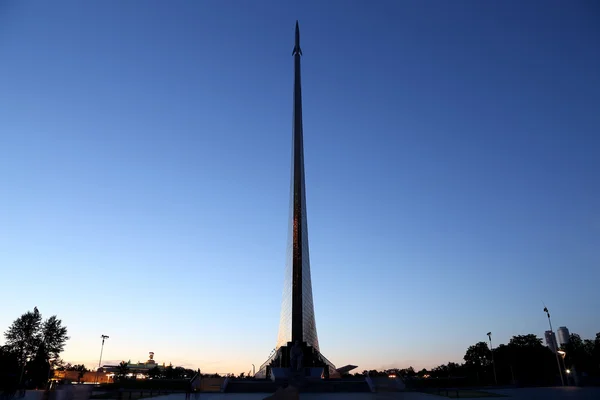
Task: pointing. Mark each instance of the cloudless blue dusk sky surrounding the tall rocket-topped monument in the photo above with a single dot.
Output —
(452, 168)
